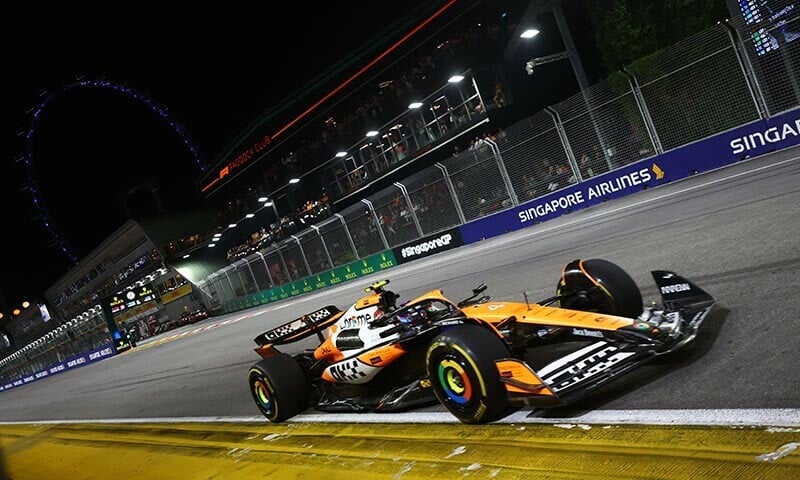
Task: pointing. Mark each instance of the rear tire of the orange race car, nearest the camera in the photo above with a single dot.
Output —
(279, 387)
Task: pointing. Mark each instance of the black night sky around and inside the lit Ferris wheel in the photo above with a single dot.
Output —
(215, 67)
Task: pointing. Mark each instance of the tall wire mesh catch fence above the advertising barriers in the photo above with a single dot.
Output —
(704, 85)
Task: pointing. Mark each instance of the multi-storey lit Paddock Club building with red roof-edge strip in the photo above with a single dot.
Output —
(430, 95)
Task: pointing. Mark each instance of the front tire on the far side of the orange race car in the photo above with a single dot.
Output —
(618, 293)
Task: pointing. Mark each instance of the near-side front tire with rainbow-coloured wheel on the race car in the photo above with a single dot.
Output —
(461, 366)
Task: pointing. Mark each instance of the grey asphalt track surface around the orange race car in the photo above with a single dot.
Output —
(735, 232)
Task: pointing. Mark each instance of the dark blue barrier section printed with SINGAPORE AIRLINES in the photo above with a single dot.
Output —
(755, 138)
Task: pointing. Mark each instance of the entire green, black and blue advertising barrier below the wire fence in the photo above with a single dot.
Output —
(753, 139)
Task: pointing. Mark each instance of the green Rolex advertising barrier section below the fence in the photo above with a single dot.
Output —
(373, 263)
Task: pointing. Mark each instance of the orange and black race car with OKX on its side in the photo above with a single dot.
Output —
(475, 356)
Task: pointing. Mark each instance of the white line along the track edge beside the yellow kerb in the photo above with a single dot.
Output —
(757, 417)
